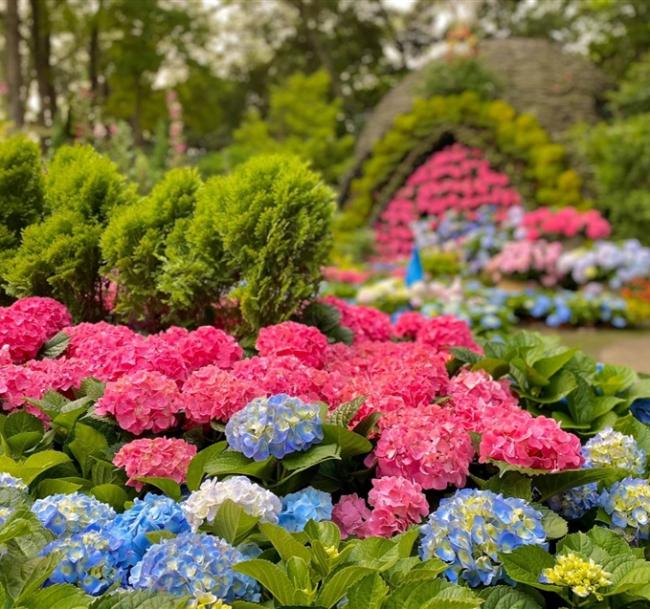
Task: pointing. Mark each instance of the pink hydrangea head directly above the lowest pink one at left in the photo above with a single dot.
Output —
(141, 401)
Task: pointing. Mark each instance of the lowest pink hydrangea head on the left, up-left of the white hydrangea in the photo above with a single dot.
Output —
(157, 457)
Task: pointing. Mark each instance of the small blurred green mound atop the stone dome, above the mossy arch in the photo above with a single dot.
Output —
(458, 75)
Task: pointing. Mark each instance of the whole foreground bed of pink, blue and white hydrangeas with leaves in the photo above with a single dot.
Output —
(411, 466)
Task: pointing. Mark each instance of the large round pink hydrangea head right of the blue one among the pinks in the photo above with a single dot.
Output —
(431, 449)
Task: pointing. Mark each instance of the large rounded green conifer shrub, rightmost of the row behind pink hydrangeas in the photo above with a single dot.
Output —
(274, 216)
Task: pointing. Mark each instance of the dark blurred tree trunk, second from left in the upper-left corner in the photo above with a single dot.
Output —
(41, 54)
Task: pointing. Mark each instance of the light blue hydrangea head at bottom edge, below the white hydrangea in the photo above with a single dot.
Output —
(194, 564)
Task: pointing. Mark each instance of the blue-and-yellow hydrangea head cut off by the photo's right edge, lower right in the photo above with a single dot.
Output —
(628, 504)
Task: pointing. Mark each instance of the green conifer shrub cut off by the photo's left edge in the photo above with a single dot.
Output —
(21, 189)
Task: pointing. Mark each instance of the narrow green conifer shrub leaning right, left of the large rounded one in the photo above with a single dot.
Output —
(133, 244)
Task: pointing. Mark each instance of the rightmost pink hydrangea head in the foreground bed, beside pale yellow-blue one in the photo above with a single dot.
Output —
(531, 442)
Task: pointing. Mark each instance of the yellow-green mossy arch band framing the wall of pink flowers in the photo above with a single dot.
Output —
(515, 144)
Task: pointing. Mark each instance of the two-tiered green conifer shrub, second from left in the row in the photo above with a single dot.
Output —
(60, 256)
